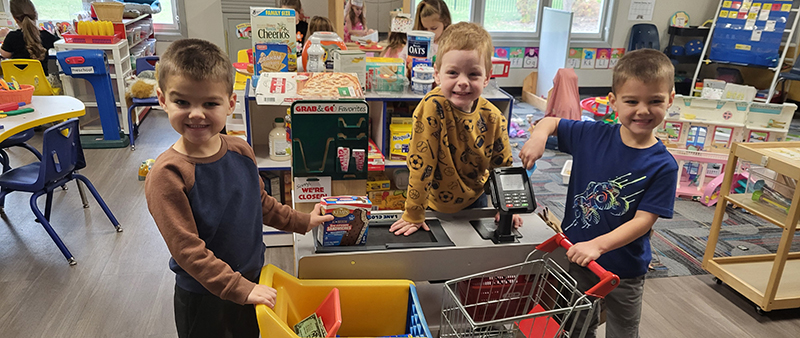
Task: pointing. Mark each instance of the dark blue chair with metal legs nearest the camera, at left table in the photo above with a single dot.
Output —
(63, 155)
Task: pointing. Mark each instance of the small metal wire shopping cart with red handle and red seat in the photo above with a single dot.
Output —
(536, 298)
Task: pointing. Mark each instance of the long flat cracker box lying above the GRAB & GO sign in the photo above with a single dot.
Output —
(284, 88)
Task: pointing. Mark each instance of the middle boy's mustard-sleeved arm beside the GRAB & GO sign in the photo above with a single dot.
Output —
(422, 158)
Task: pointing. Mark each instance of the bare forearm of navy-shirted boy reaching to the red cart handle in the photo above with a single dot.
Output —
(584, 252)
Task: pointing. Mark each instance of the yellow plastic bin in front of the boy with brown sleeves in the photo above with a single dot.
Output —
(370, 308)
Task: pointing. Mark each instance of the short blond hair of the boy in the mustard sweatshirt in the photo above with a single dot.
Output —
(466, 36)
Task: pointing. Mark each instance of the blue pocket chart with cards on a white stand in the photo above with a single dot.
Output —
(750, 34)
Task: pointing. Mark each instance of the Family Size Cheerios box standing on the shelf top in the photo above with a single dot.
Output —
(275, 25)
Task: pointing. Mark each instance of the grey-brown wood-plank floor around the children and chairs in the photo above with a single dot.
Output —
(122, 286)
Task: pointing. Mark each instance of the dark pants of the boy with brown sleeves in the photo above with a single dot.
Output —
(206, 315)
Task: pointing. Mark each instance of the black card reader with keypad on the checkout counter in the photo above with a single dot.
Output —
(511, 194)
